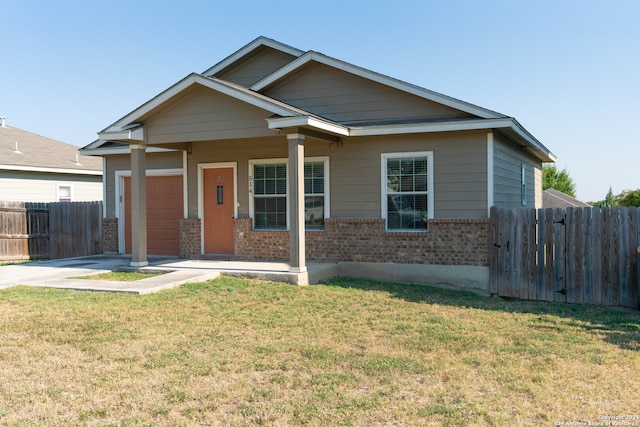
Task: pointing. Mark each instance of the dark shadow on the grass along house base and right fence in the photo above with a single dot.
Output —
(619, 326)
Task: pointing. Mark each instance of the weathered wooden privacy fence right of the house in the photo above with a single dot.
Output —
(581, 255)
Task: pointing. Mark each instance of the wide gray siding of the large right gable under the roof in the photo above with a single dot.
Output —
(346, 98)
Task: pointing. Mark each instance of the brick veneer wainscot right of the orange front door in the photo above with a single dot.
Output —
(448, 242)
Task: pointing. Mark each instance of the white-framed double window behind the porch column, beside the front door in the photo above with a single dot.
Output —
(268, 186)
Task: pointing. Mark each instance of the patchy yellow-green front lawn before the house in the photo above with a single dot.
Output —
(348, 352)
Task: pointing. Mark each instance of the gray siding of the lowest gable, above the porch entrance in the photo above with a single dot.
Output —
(202, 114)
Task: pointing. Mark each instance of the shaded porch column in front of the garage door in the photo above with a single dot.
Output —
(138, 206)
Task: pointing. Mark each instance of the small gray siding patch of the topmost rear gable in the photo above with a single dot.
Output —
(255, 67)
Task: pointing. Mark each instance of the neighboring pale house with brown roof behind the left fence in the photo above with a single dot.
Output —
(34, 168)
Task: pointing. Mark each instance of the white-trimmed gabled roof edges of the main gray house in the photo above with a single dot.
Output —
(285, 115)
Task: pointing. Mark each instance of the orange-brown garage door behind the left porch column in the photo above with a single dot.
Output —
(164, 209)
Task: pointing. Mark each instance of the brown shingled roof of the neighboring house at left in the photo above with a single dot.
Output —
(26, 151)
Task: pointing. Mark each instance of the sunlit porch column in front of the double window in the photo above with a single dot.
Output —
(296, 202)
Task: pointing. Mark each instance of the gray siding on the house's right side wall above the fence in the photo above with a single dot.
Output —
(508, 176)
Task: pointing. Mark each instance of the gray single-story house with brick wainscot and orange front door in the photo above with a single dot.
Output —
(275, 153)
